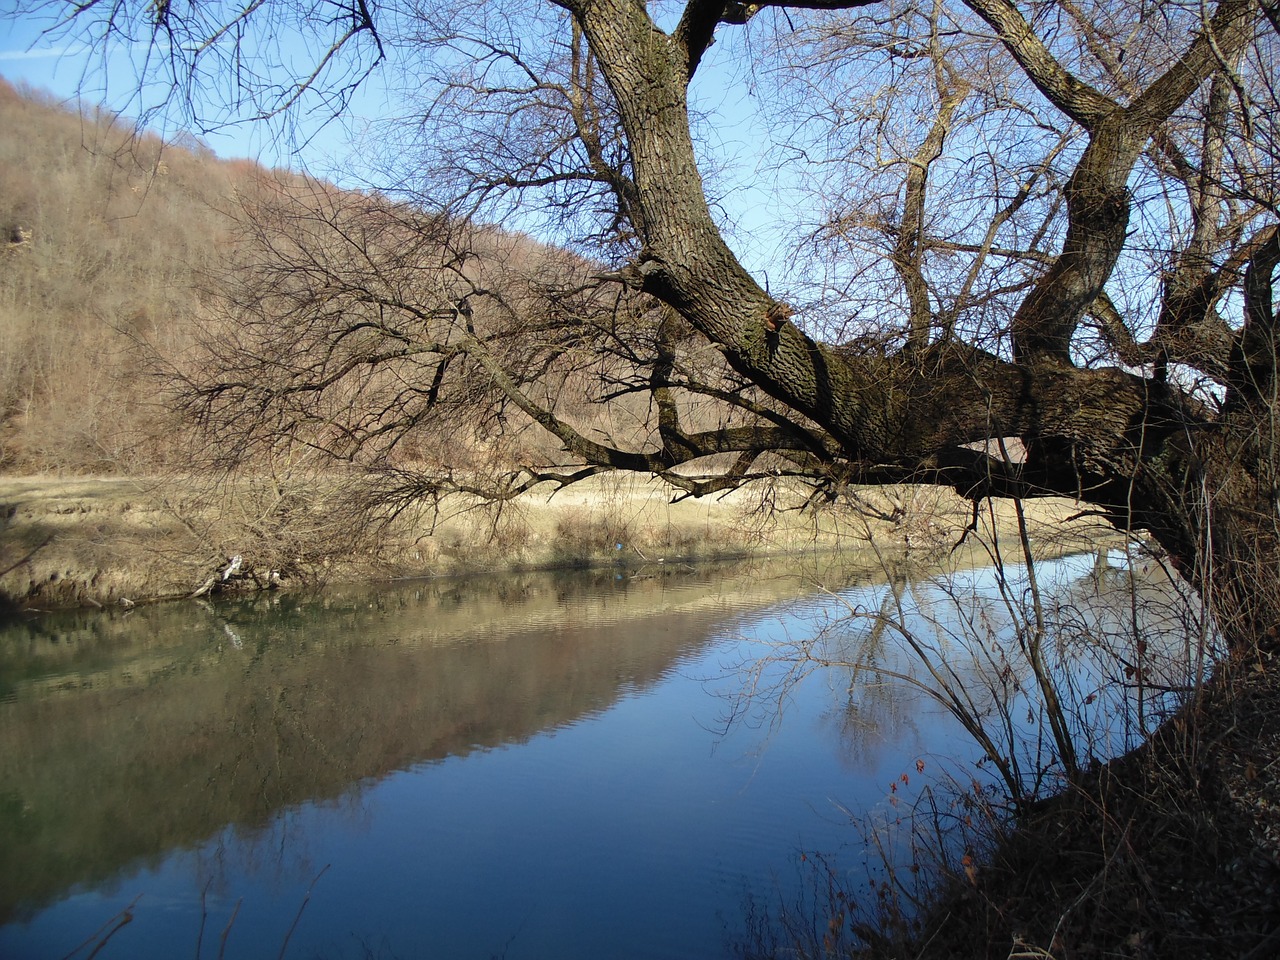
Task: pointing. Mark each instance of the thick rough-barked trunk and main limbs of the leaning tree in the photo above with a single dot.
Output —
(1203, 482)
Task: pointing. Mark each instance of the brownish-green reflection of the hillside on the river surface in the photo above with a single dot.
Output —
(130, 737)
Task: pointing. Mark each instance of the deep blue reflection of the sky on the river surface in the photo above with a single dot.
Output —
(638, 829)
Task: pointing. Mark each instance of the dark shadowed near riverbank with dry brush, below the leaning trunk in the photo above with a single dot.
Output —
(1169, 853)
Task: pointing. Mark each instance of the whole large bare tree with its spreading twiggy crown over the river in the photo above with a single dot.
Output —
(1036, 255)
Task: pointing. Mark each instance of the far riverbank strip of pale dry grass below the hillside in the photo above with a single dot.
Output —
(111, 541)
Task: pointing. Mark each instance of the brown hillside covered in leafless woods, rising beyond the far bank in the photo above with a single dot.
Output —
(131, 264)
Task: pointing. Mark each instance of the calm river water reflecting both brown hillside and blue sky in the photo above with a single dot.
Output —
(540, 766)
